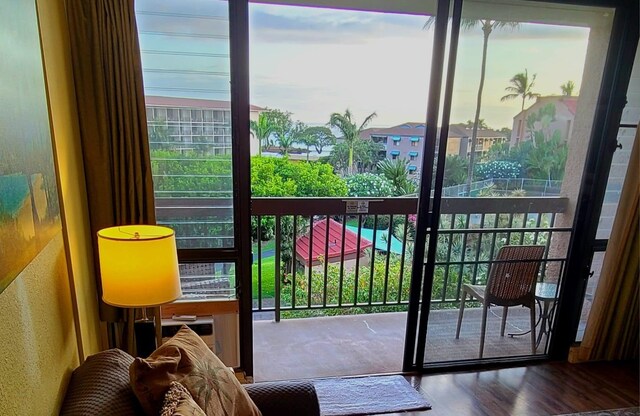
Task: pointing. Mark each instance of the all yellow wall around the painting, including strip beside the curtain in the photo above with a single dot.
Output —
(48, 315)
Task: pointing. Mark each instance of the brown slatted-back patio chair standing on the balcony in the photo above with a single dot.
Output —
(511, 282)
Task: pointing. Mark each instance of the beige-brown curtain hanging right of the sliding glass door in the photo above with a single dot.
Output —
(613, 325)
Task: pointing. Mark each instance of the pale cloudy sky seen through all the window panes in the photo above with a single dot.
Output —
(313, 62)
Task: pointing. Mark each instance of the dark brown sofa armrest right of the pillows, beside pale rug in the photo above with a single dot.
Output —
(285, 398)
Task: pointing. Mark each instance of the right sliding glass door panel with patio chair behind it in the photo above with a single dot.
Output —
(527, 79)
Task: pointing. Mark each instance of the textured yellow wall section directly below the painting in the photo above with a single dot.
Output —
(38, 347)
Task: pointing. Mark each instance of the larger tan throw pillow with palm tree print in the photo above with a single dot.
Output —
(187, 359)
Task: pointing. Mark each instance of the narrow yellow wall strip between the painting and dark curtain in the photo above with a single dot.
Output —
(59, 75)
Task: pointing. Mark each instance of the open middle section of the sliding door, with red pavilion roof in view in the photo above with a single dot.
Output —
(340, 91)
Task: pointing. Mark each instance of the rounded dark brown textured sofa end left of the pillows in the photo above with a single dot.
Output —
(100, 386)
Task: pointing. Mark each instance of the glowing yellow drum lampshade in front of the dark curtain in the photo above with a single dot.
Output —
(139, 265)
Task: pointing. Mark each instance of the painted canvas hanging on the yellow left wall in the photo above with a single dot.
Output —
(29, 206)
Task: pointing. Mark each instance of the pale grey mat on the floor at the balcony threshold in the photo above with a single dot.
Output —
(367, 395)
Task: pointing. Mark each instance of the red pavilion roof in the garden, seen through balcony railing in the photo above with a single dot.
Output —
(335, 242)
